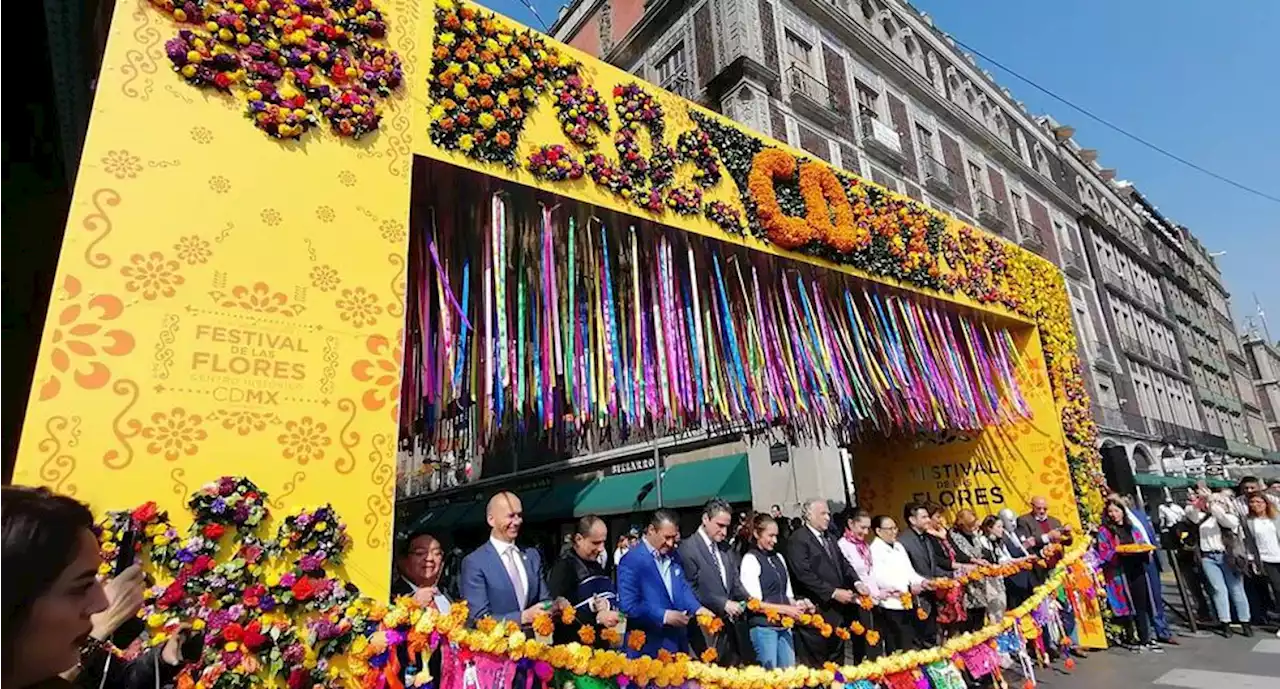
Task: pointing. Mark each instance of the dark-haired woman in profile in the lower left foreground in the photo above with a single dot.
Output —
(56, 617)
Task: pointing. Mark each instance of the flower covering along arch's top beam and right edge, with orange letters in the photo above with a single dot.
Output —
(788, 200)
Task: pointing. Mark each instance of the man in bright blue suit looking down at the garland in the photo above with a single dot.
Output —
(653, 592)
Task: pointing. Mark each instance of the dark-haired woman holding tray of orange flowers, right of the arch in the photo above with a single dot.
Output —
(1124, 569)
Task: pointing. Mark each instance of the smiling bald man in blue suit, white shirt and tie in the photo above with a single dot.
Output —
(500, 580)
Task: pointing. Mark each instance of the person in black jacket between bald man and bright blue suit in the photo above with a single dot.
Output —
(579, 578)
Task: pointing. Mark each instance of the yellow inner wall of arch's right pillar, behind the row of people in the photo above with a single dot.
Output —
(1003, 467)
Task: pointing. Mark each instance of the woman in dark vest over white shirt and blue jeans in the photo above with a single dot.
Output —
(766, 580)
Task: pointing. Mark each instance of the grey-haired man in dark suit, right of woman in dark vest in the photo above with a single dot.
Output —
(822, 576)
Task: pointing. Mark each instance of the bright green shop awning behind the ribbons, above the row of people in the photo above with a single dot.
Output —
(683, 486)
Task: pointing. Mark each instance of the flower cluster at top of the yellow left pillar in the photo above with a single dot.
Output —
(291, 60)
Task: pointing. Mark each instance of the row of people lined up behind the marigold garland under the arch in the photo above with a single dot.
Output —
(753, 572)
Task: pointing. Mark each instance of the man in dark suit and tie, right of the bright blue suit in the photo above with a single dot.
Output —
(712, 571)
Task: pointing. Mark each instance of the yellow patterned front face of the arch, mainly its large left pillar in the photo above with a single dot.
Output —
(225, 300)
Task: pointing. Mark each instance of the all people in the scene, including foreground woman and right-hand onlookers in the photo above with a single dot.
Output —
(904, 578)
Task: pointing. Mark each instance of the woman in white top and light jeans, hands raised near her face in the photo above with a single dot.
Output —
(1218, 523)
